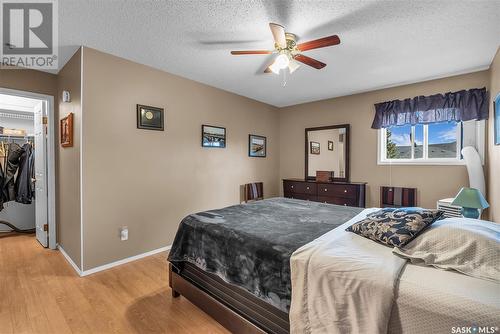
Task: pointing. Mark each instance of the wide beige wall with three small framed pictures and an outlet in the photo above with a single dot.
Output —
(149, 180)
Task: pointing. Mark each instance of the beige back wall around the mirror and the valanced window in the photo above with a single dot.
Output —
(433, 182)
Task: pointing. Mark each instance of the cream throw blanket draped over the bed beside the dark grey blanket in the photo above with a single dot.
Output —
(343, 283)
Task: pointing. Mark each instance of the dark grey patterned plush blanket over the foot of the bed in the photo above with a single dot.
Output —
(250, 245)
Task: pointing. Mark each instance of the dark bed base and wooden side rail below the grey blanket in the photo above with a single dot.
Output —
(234, 308)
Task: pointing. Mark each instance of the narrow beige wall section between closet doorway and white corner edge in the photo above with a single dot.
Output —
(68, 164)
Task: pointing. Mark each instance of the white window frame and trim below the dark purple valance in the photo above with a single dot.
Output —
(473, 134)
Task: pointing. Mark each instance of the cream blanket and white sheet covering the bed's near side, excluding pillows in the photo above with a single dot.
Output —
(344, 283)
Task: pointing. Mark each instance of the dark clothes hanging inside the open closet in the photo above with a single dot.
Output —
(17, 174)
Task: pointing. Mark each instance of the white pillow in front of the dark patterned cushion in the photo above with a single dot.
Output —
(469, 246)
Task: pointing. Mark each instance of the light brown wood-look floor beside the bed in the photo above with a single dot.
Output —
(41, 293)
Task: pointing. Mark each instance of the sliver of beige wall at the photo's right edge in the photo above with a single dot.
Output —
(494, 150)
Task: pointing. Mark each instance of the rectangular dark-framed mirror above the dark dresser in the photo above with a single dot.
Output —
(327, 150)
